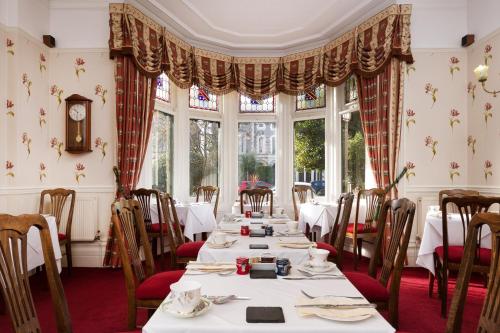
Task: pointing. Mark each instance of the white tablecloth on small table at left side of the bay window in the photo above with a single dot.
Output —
(195, 217)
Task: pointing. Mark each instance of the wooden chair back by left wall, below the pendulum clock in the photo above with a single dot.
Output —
(58, 198)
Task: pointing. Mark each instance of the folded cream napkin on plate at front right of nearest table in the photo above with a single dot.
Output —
(332, 313)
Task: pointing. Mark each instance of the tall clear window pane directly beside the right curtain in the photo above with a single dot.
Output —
(353, 152)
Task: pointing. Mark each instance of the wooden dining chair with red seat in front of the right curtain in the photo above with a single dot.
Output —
(365, 230)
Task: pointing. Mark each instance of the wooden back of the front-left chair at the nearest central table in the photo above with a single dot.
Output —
(130, 231)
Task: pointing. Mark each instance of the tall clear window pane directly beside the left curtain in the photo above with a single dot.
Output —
(162, 151)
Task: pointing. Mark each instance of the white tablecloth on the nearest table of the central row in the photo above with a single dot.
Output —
(230, 317)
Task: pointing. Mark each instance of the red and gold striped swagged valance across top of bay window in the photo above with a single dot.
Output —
(364, 50)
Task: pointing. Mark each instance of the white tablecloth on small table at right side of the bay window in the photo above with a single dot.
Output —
(323, 215)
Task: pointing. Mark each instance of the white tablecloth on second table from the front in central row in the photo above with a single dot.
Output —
(241, 249)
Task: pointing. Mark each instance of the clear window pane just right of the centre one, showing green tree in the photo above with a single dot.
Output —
(309, 153)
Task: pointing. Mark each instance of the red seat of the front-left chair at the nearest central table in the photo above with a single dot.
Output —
(157, 286)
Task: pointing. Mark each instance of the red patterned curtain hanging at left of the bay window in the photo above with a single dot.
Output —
(135, 99)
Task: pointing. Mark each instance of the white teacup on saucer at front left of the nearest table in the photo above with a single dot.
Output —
(186, 295)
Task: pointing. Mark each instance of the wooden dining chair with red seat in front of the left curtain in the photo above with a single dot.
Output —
(154, 230)
